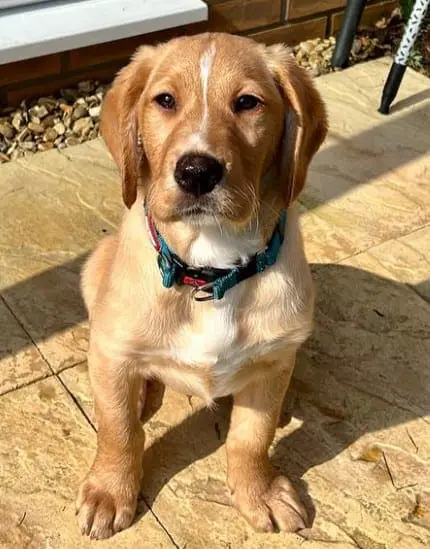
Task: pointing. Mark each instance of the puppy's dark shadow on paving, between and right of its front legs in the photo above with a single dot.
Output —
(362, 371)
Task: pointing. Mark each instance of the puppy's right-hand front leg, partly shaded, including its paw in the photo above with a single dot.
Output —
(267, 500)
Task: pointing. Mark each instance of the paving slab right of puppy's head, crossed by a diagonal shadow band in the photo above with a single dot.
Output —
(370, 181)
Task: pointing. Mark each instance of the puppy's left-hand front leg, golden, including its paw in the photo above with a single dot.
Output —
(107, 497)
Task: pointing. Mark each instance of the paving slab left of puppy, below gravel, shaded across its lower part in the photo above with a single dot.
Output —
(55, 208)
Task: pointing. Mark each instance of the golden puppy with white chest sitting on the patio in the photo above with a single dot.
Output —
(206, 287)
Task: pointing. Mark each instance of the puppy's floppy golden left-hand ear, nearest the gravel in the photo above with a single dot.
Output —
(118, 124)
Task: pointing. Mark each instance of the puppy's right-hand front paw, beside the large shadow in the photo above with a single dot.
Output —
(278, 508)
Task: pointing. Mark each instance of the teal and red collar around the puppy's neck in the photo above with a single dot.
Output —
(211, 282)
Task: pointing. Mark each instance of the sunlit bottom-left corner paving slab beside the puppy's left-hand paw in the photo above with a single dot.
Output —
(46, 447)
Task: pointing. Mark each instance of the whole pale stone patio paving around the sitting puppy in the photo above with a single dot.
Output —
(355, 430)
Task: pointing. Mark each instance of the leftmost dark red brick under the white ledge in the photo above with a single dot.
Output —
(30, 68)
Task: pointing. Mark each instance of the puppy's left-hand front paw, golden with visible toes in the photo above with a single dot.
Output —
(104, 507)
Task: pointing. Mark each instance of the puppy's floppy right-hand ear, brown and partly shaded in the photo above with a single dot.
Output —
(305, 123)
